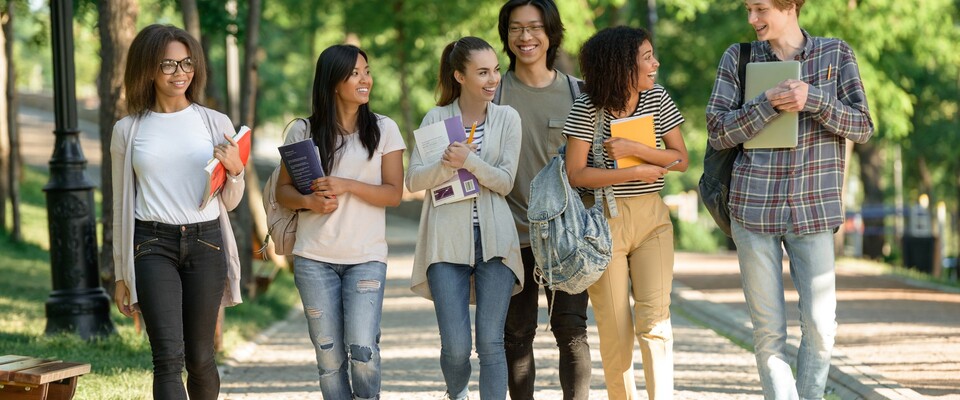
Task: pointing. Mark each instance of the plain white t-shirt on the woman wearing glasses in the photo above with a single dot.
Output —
(169, 154)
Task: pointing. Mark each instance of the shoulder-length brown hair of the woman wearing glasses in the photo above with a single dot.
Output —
(143, 63)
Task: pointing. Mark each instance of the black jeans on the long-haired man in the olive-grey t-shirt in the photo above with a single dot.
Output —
(569, 325)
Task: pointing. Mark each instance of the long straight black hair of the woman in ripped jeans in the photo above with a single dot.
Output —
(335, 65)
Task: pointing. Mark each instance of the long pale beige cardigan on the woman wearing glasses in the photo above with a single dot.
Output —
(124, 203)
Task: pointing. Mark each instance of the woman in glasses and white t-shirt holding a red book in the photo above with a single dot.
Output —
(175, 263)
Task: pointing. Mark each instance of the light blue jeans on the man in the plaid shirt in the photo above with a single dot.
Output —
(813, 275)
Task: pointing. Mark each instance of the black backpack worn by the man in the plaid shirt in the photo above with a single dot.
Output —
(718, 164)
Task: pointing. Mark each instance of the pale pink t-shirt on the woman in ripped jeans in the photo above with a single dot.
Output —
(356, 232)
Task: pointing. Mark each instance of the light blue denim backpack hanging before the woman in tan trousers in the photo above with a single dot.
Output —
(571, 243)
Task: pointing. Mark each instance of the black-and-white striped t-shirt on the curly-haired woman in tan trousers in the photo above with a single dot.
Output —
(582, 121)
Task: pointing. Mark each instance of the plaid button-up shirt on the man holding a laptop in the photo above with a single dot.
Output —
(779, 191)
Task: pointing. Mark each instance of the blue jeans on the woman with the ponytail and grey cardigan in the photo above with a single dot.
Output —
(450, 286)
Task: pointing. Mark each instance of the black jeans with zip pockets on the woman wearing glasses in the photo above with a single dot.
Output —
(181, 273)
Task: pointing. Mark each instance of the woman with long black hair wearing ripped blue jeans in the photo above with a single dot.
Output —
(341, 249)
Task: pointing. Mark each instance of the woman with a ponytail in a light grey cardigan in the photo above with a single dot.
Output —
(468, 251)
